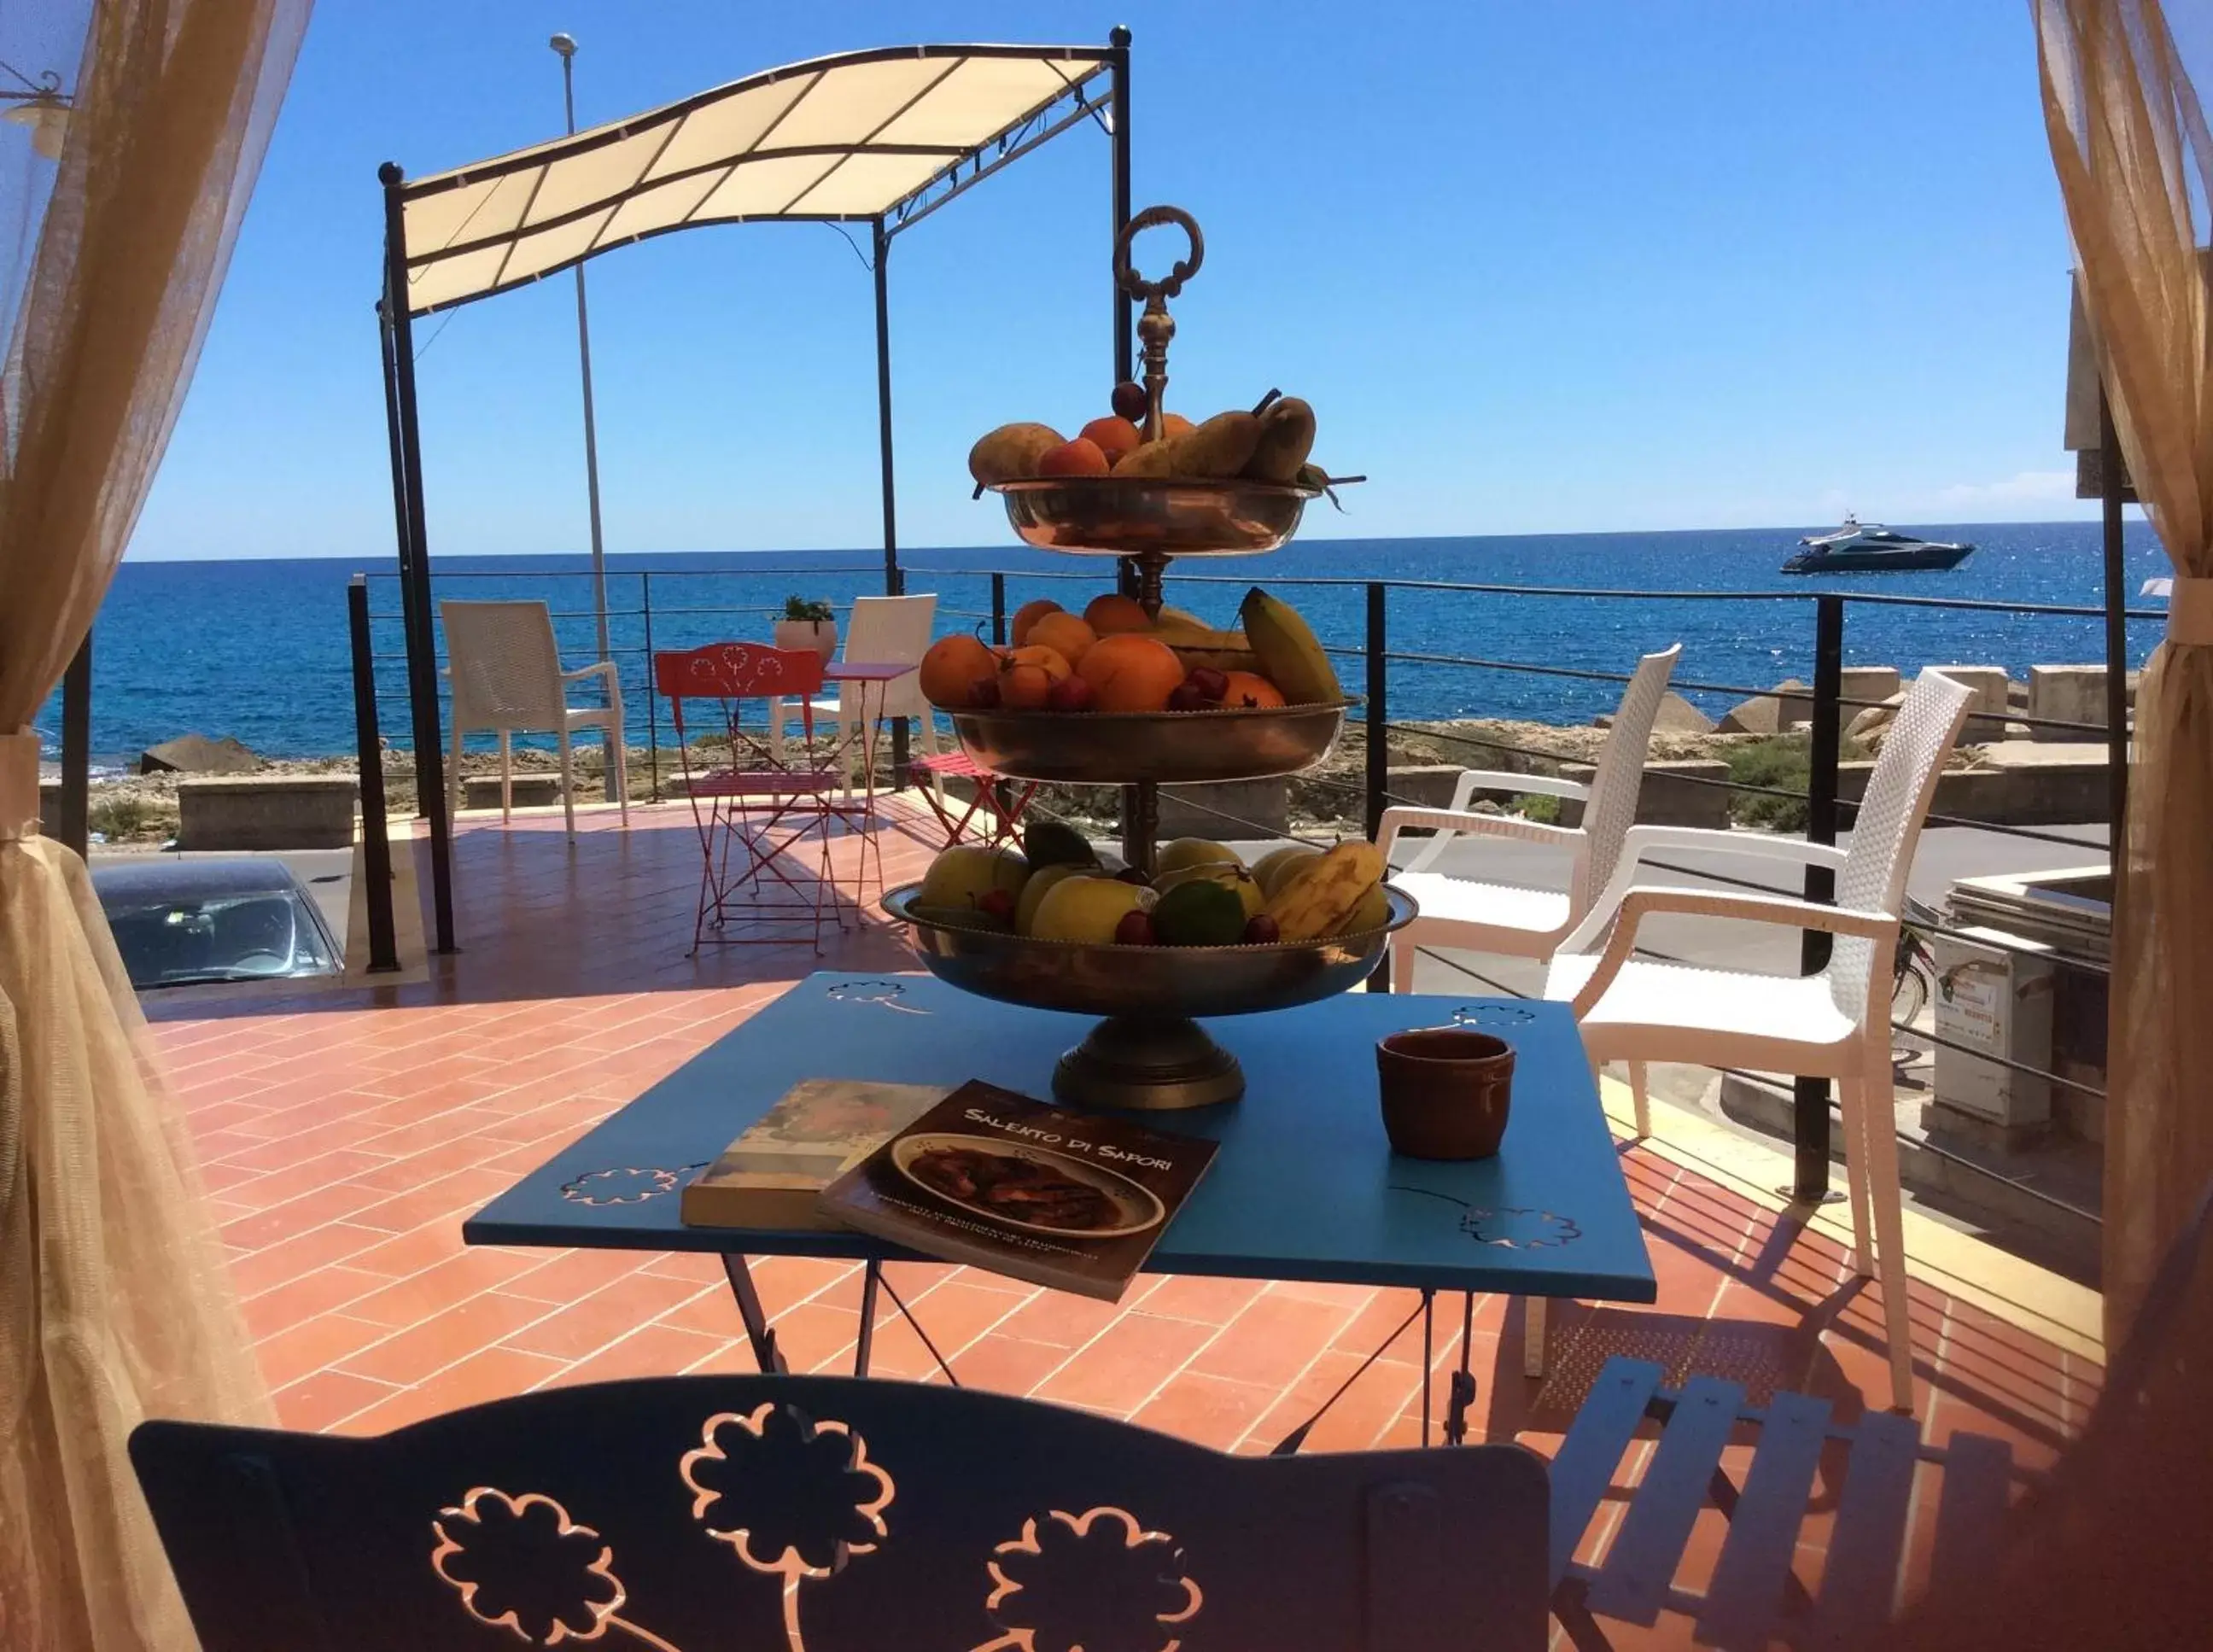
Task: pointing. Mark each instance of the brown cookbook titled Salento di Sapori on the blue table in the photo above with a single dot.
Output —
(1024, 1189)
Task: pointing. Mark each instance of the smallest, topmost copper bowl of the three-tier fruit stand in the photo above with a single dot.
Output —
(1147, 516)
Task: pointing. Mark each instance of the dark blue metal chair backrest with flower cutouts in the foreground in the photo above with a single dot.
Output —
(833, 1516)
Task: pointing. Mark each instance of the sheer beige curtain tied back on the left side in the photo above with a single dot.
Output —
(114, 1293)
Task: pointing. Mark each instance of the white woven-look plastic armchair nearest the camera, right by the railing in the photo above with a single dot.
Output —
(1831, 1025)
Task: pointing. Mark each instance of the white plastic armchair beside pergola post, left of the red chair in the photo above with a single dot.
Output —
(508, 680)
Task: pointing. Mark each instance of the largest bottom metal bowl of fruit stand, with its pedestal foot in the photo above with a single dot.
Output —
(1150, 1052)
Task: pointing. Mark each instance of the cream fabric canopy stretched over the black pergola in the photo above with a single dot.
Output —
(824, 140)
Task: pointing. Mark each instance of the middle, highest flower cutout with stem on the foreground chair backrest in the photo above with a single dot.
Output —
(793, 1496)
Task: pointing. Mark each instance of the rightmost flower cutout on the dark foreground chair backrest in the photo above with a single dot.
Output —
(1092, 1582)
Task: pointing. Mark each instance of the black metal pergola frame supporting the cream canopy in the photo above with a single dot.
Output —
(964, 169)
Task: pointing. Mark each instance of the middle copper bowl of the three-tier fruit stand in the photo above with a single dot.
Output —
(1130, 749)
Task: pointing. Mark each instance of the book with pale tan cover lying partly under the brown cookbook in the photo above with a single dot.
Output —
(776, 1171)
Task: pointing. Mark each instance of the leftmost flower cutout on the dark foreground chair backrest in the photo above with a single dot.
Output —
(523, 1565)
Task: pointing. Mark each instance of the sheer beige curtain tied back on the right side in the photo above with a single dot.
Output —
(2137, 171)
